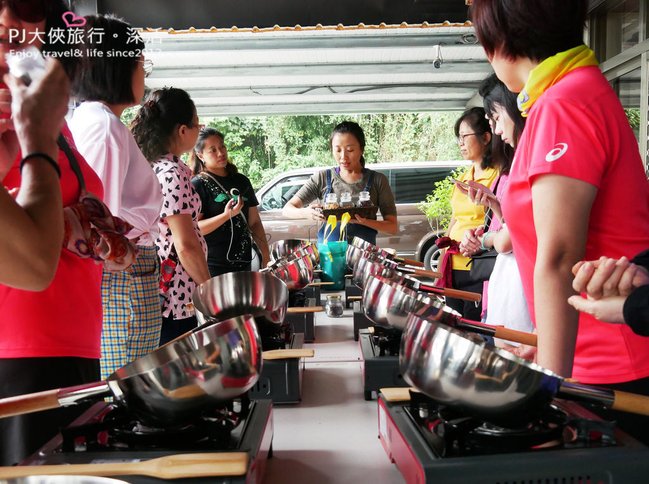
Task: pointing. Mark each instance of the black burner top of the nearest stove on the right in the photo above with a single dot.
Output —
(452, 433)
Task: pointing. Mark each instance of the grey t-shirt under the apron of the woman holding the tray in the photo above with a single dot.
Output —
(380, 191)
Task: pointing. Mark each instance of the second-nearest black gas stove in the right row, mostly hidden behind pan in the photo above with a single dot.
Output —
(380, 350)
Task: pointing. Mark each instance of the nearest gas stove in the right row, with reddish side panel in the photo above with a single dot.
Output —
(565, 444)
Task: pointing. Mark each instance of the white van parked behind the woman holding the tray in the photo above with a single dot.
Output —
(410, 183)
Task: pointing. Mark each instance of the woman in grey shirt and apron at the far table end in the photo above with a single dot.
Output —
(347, 145)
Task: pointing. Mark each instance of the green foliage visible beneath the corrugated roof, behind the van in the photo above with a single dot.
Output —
(264, 147)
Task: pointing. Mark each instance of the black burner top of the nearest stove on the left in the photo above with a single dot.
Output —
(116, 429)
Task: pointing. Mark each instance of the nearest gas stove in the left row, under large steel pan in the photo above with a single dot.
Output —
(107, 433)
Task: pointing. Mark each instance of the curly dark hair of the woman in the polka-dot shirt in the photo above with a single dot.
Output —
(156, 121)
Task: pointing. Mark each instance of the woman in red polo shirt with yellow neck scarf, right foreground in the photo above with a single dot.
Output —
(577, 187)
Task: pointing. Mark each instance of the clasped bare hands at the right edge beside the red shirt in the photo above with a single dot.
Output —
(608, 277)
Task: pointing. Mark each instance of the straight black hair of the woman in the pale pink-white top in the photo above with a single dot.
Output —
(109, 77)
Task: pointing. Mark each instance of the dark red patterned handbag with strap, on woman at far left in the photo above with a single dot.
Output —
(90, 230)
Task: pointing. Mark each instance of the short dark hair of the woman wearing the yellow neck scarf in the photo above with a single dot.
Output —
(536, 29)
